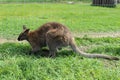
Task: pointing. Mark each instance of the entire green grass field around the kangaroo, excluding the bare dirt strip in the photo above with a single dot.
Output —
(16, 64)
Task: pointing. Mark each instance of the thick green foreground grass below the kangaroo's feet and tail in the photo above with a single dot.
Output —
(16, 64)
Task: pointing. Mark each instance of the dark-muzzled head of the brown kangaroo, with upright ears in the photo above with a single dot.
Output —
(23, 35)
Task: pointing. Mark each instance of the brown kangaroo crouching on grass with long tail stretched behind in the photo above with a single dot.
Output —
(55, 36)
